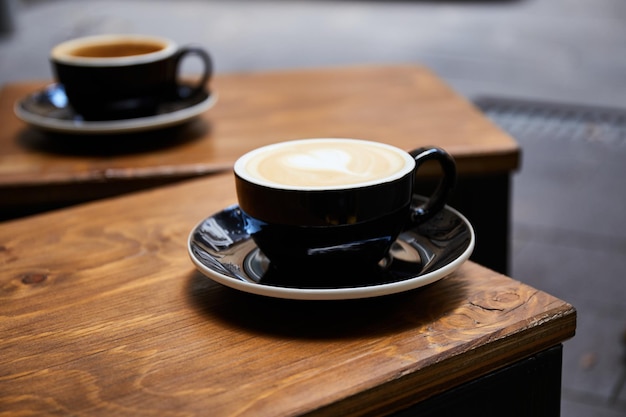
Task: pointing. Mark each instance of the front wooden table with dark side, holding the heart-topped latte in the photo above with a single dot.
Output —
(103, 313)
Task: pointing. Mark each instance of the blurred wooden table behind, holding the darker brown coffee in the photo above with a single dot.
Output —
(407, 106)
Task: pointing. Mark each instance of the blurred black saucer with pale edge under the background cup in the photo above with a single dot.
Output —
(48, 110)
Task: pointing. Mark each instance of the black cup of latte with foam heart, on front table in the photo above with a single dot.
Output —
(315, 204)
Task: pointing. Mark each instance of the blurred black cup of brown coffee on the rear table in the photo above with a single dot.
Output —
(123, 76)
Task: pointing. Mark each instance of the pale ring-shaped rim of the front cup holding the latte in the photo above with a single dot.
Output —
(241, 172)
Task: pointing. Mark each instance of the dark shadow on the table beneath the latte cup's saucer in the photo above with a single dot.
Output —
(326, 319)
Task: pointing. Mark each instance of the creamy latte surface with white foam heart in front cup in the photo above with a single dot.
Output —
(324, 164)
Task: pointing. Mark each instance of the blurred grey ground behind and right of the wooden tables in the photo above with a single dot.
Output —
(569, 236)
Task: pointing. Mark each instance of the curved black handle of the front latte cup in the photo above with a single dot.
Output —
(438, 199)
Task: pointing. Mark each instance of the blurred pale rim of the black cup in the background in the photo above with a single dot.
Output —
(59, 53)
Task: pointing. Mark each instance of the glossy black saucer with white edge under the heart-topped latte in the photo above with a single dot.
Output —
(222, 250)
